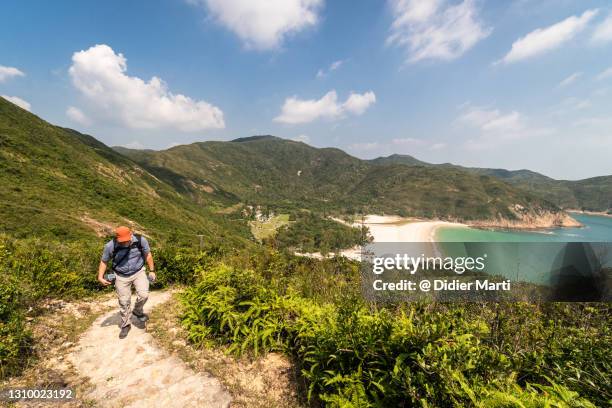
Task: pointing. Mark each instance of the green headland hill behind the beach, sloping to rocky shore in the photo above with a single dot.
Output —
(432, 192)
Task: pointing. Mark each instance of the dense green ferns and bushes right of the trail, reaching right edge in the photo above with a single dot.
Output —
(355, 354)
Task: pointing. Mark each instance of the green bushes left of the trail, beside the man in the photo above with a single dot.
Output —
(30, 271)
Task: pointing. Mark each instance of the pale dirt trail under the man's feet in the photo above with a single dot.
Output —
(134, 372)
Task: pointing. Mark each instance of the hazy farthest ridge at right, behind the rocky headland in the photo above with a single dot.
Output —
(592, 194)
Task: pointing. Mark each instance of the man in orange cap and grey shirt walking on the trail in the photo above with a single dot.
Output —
(128, 253)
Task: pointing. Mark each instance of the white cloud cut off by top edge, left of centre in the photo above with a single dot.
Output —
(263, 25)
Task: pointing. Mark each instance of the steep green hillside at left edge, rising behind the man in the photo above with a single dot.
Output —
(59, 182)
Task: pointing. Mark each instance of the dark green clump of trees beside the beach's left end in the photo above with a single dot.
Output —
(308, 232)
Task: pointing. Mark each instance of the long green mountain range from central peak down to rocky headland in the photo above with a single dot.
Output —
(268, 170)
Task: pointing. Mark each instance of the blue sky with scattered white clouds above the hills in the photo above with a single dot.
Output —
(509, 84)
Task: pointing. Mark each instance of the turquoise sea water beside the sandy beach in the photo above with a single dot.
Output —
(535, 256)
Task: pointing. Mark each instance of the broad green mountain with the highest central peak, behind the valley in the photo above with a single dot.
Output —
(260, 169)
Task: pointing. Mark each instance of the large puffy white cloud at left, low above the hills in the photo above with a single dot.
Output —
(100, 75)
